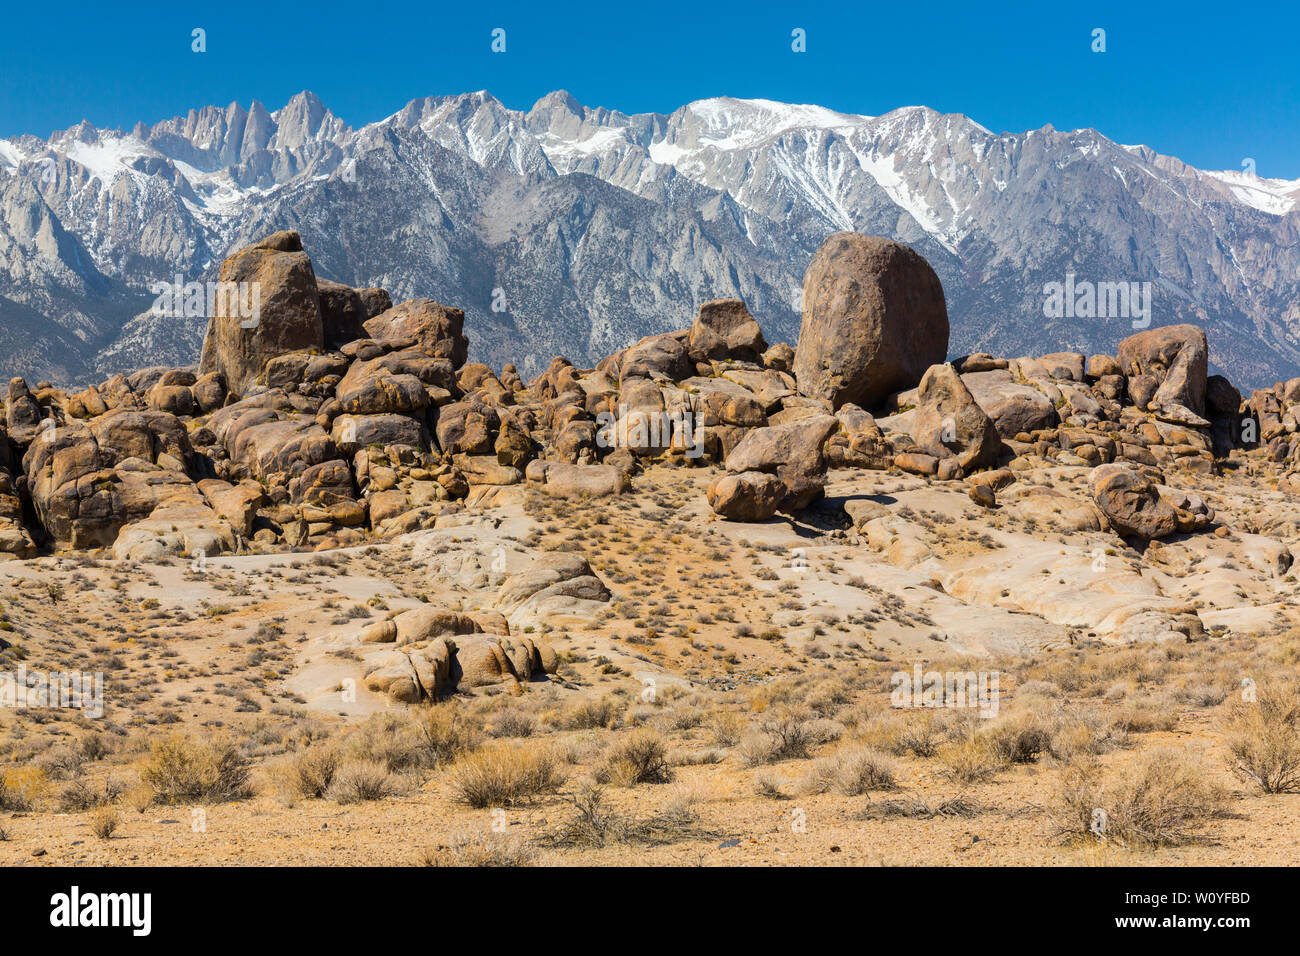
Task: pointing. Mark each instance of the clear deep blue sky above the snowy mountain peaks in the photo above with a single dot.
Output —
(1208, 84)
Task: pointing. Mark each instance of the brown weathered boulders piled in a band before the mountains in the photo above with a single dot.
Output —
(336, 418)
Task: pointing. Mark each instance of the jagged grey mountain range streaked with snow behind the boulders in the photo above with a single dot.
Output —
(571, 231)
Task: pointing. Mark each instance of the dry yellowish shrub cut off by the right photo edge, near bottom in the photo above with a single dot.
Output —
(1264, 738)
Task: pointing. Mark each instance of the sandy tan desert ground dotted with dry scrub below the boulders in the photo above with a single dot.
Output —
(726, 702)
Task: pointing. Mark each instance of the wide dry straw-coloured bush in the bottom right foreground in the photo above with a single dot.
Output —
(1167, 799)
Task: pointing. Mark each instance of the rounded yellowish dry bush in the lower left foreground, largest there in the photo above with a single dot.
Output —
(183, 771)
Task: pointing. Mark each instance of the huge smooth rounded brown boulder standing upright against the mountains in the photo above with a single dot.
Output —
(874, 321)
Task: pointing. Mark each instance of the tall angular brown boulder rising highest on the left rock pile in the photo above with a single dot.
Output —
(283, 287)
